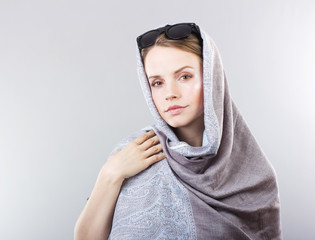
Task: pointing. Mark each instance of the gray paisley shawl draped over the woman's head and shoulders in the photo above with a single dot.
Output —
(225, 189)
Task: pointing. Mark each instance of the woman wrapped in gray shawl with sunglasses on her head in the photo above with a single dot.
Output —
(198, 173)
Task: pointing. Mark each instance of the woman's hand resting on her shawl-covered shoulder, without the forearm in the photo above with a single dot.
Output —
(136, 156)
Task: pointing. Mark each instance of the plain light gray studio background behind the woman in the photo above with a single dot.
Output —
(69, 93)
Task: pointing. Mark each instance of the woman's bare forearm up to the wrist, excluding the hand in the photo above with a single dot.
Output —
(96, 218)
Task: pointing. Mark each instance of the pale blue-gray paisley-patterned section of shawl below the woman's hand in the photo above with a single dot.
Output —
(153, 205)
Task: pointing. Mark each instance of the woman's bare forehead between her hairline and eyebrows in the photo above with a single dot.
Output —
(163, 60)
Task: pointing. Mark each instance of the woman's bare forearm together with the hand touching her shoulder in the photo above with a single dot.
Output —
(96, 218)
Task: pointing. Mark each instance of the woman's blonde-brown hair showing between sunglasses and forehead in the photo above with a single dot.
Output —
(190, 44)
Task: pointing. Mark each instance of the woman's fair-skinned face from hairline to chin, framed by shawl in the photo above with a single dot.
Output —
(176, 81)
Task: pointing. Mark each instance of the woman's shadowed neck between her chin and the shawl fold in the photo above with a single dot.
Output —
(191, 134)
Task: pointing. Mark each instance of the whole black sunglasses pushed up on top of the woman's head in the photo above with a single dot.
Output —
(174, 32)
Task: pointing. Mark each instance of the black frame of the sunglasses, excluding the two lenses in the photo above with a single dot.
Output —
(194, 28)
